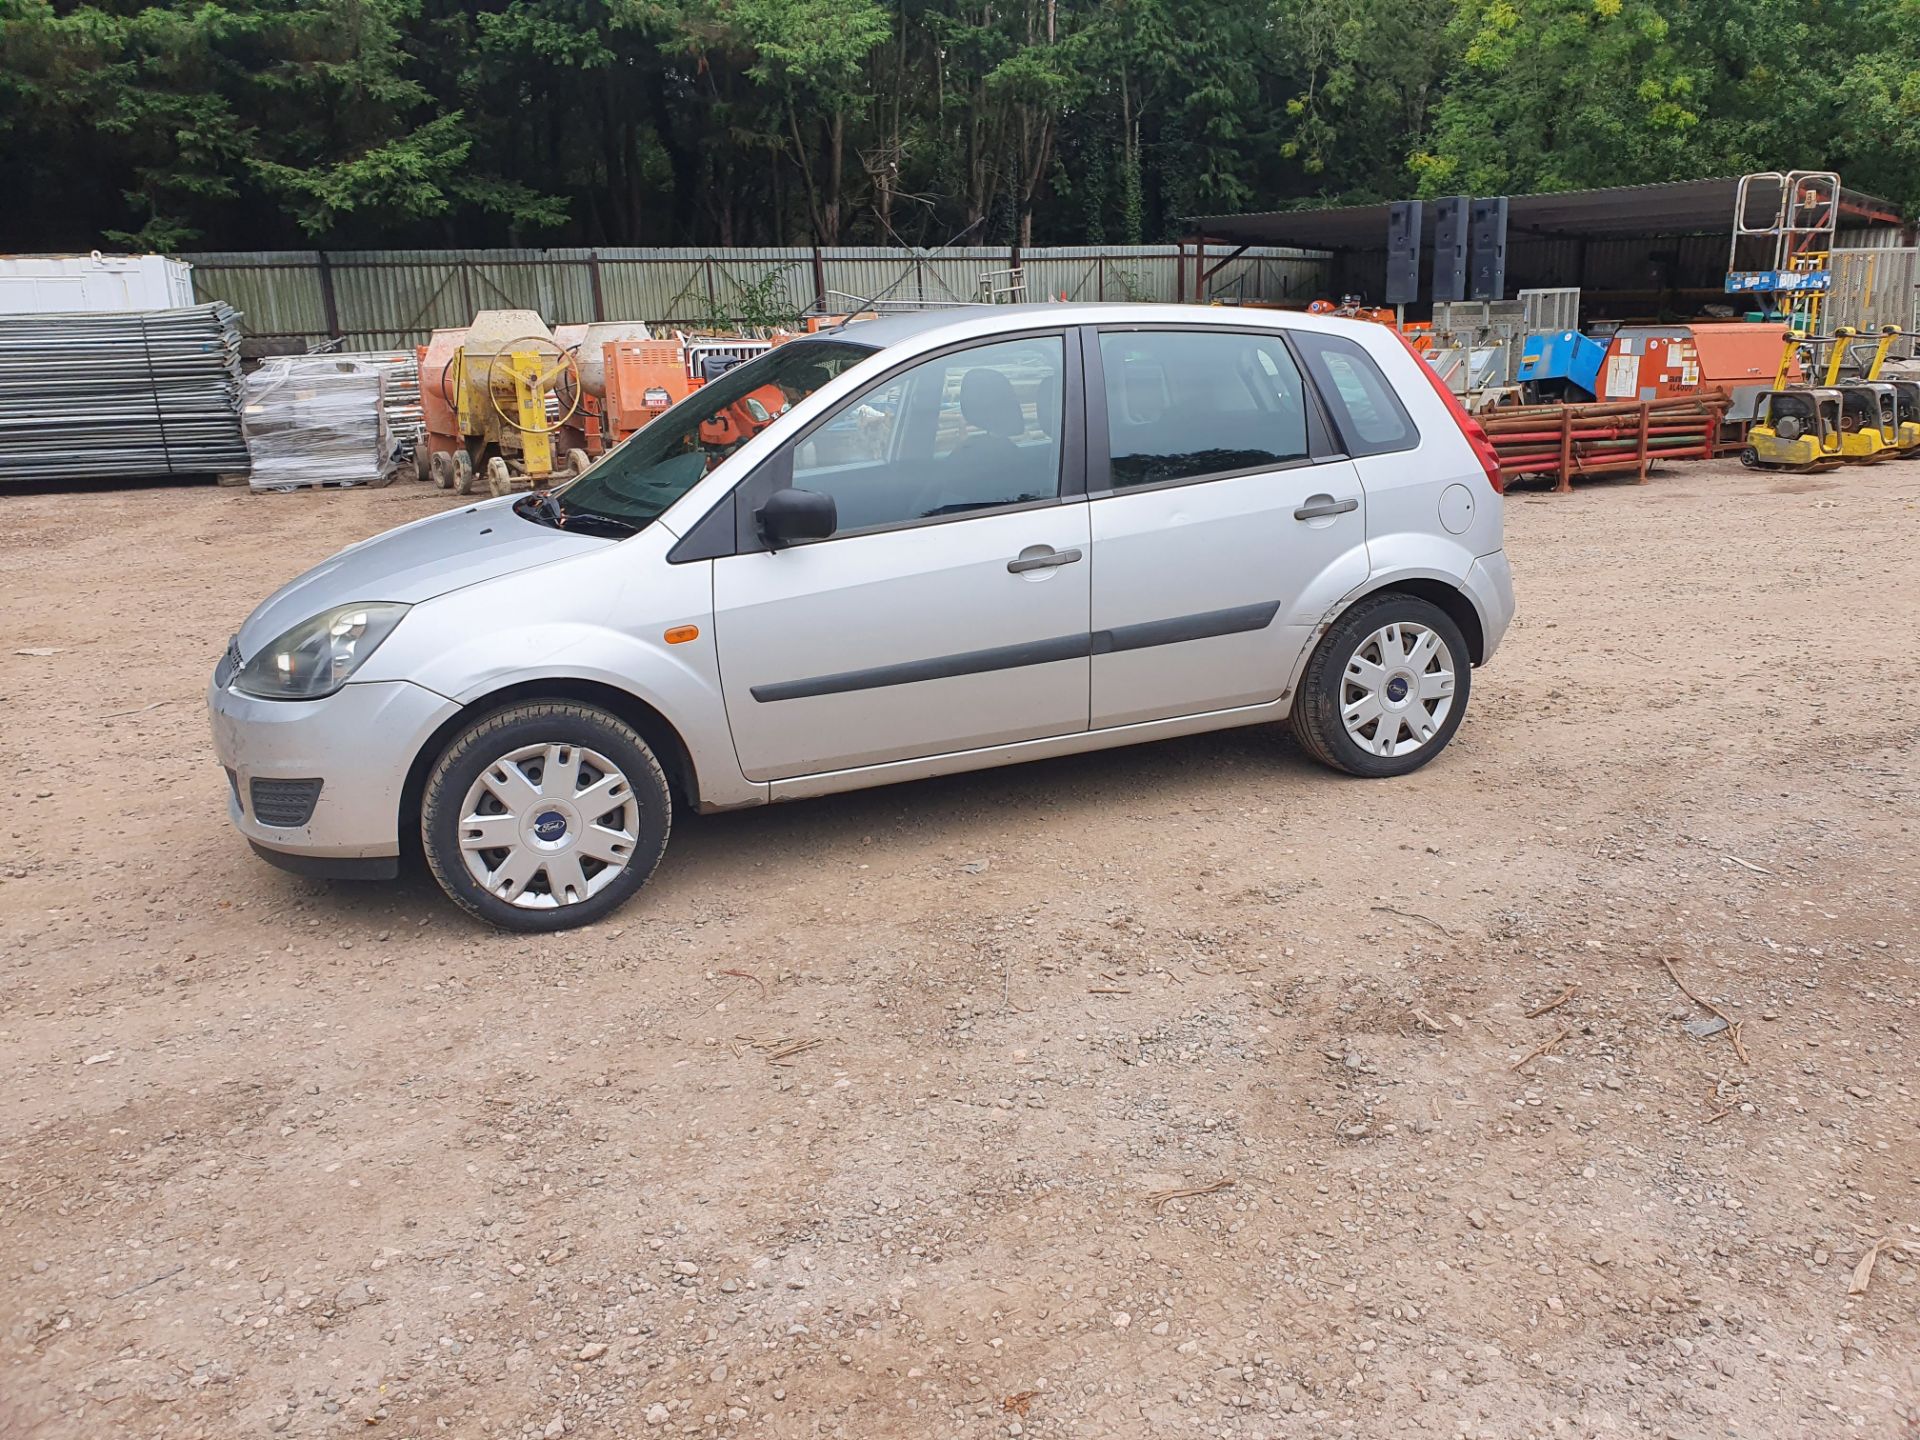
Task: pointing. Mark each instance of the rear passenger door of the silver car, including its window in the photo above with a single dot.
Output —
(1216, 494)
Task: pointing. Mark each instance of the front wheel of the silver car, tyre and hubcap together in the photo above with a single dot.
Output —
(531, 779)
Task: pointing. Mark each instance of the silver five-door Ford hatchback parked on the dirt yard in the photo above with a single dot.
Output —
(905, 548)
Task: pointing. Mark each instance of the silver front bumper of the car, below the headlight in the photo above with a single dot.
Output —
(358, 744)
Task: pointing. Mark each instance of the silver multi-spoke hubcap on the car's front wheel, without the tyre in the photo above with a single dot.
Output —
(548, 827)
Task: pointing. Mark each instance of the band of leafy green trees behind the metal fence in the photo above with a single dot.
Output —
(777, 122)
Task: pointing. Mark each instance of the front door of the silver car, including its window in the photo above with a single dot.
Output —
(951, 608)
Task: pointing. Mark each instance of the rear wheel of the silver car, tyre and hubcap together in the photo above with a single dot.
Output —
(1393, 661)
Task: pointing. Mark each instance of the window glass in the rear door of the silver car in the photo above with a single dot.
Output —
(1189, 404)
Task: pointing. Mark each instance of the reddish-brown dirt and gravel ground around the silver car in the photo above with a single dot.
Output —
(1172, 1092)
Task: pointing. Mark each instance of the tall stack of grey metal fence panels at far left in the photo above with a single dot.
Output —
(130, 395)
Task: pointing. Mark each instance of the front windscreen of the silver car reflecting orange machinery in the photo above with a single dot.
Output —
(669, 456)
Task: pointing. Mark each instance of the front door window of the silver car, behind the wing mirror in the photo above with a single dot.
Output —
(961, 433)
